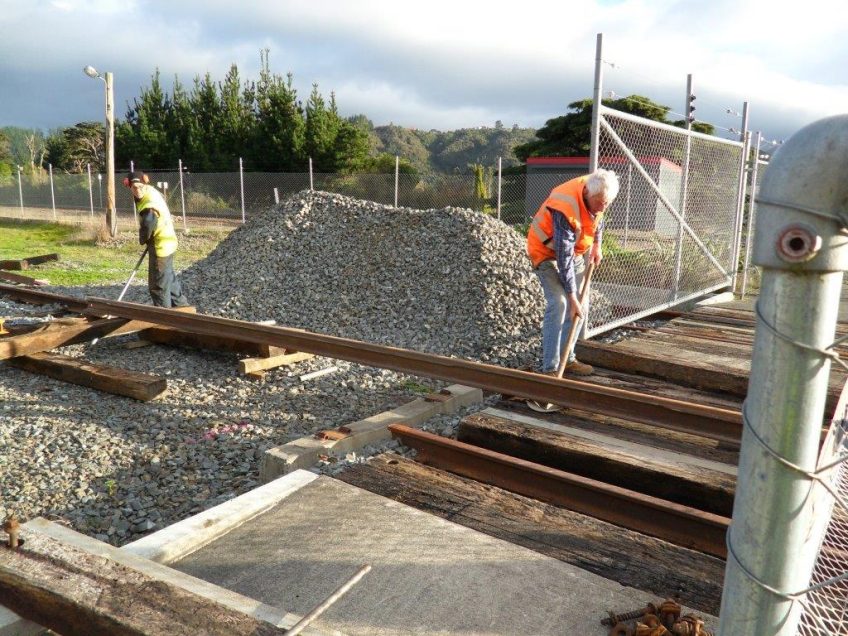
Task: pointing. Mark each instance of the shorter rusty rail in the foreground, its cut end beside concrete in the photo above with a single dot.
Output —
(672, 522)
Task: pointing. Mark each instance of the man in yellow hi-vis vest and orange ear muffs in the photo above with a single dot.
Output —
(156, 230)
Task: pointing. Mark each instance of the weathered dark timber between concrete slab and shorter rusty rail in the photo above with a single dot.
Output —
(615, 553)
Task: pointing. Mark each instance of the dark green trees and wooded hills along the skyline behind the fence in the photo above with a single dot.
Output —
(263, 122)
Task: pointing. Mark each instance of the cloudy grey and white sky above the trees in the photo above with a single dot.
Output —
(437, 64)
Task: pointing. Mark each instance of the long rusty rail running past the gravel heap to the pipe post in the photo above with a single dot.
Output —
(720, 424)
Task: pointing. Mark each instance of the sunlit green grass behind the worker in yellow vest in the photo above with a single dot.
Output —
(85, 260)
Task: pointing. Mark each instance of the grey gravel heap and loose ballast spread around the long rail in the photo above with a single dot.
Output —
(448, 281)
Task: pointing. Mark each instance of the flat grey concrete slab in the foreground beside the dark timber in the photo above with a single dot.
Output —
(429, 576)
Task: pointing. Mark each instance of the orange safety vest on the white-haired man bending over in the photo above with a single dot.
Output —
(567, 199)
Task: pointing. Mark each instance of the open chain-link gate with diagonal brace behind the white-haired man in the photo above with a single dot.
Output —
(670, 235)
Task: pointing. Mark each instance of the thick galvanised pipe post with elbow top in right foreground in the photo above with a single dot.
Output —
(774, 536)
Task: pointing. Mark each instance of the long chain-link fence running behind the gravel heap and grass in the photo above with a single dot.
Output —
(231, 198)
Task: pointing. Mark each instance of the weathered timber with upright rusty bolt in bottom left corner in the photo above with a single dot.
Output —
(77, 593)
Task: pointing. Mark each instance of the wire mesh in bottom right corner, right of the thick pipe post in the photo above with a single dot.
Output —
(825, 609)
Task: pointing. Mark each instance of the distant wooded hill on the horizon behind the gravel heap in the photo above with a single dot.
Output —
(447, 152)
